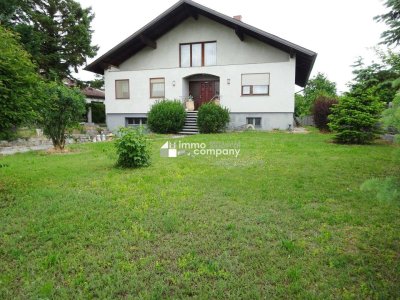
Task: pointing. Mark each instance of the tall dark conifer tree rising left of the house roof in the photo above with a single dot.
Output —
(56, 33)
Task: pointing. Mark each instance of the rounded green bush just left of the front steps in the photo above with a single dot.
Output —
(166, 116)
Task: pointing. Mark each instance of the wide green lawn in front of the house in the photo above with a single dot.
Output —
(285, 219)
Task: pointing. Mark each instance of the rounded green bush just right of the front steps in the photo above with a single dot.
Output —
(212, 118)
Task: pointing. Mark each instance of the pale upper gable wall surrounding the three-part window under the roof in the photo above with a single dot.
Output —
(230, 50)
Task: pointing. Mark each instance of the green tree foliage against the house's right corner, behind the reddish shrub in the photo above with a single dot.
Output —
(317, 86)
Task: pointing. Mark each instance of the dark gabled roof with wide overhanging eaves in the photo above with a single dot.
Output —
(184, 9)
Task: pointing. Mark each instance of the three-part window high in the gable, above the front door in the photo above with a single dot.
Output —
(198, 54)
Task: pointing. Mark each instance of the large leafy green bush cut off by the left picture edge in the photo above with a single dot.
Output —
(19, 95)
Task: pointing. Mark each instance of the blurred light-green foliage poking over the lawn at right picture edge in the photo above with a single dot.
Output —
(387, 189)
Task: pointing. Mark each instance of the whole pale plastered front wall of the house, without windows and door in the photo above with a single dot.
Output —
(234, 58)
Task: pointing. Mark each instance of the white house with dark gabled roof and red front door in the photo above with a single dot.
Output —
(193, 51)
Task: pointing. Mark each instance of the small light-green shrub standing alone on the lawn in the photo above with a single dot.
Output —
(132, 148)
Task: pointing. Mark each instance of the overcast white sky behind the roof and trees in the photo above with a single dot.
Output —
(339, 31)
